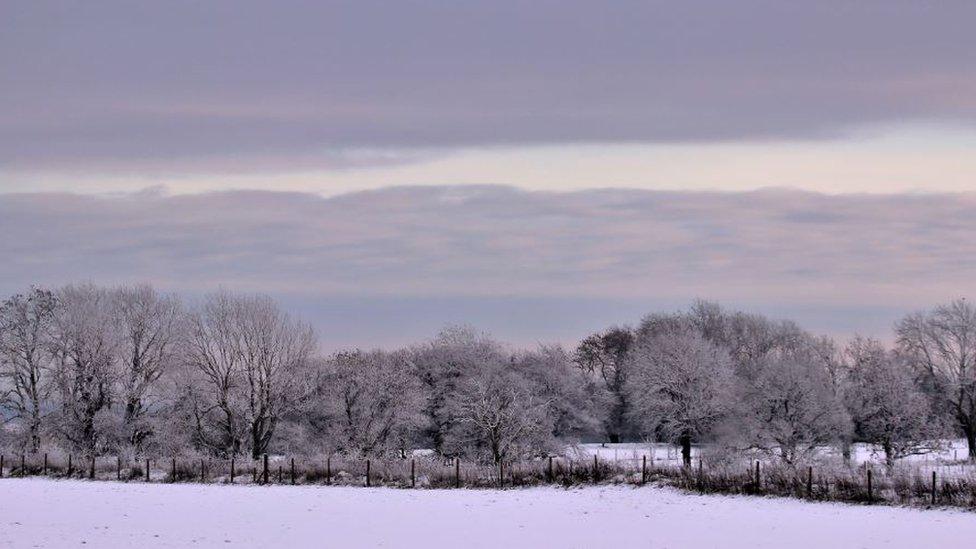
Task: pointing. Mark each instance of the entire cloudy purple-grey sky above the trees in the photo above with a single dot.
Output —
(536, 169)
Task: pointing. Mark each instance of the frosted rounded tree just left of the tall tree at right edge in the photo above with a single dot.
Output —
(886, 405)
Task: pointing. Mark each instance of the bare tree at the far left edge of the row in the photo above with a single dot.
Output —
(26, 323)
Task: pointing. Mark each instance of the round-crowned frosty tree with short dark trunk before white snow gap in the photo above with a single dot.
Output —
(679, 387)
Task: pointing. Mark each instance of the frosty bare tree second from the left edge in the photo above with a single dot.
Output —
(84, 344)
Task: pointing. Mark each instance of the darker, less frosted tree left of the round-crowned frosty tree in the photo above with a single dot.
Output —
(603, 358)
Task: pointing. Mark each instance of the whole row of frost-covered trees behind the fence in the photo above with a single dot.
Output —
(133, 371)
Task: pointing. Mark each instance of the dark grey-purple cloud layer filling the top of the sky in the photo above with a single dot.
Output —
(231, 86)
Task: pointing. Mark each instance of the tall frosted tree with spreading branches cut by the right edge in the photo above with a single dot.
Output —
(941, 345)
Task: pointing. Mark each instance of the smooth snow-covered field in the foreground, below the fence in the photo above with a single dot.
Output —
(49, 513)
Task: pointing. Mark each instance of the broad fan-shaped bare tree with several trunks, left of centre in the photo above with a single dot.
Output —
(252, 362)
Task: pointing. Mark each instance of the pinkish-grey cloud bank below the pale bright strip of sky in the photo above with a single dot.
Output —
(770, 246)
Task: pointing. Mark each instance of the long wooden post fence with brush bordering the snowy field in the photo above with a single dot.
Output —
(906, 486)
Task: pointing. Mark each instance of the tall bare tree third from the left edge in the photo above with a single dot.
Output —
(150, 328)
